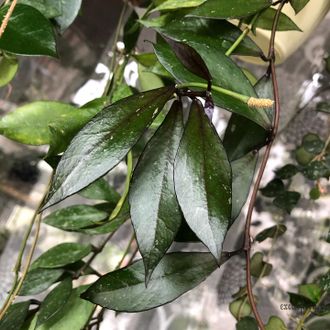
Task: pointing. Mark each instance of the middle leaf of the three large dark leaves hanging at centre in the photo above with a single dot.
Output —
(155, 212)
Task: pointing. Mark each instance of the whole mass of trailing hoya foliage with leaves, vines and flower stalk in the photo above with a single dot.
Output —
(184, 183)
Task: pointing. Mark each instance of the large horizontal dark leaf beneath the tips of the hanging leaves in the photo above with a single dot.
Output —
(176, 274)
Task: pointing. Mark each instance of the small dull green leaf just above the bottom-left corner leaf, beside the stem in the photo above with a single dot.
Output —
(38, 280)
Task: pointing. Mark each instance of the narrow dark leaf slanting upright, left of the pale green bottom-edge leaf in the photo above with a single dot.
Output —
(54, 301)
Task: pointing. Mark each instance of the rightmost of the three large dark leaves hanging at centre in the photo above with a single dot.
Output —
(202, 178)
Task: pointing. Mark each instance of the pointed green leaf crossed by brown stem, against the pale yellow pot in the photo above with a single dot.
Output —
(266, 18)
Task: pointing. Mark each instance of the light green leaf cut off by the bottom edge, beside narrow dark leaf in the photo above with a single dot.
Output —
(74, 315)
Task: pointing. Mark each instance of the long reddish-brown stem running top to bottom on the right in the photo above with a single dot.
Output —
(247, 234)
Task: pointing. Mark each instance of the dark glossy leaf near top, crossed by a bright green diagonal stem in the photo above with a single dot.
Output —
(218, 32)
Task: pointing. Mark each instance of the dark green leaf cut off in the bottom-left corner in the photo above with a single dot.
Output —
(15, 316)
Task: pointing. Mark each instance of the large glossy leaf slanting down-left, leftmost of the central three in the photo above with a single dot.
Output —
(105, 141)
